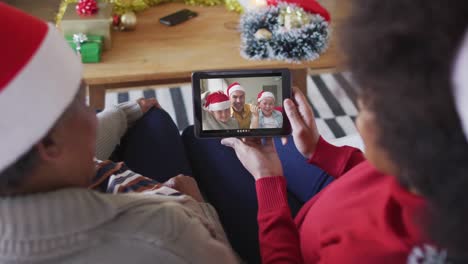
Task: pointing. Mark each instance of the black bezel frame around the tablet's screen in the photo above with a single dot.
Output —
(265, 132)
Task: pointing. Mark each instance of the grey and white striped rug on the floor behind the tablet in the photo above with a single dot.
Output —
(333, 96)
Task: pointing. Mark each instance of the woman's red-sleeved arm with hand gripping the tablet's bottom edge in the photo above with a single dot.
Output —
(278, 235)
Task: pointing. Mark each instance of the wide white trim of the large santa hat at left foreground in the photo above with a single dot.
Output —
(37, 96)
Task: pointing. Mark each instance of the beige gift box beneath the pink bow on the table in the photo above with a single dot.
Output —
(98, 24)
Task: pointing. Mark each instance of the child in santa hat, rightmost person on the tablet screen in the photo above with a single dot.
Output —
(267, 116)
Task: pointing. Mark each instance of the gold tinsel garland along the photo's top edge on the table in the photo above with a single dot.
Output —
(124, 6)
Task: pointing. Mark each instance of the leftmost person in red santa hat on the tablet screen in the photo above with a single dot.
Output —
(216, 114)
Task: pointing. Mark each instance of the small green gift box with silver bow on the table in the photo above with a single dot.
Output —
(90, 49)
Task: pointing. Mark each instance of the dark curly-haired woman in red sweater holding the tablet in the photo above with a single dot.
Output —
(404, 201)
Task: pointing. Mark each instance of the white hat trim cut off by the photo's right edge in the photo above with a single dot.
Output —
(460, 80)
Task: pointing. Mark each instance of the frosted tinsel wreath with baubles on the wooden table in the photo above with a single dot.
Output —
(296, 35)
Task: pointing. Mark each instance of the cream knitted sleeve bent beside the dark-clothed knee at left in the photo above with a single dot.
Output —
(112, 125)
